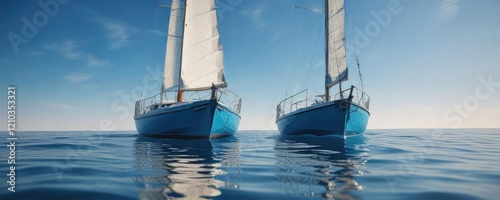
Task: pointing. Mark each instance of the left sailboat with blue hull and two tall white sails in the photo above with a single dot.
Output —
(194, 100)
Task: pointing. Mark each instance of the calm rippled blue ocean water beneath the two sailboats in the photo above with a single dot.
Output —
(381, 164)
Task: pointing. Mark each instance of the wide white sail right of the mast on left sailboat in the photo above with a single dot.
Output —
(202, 57)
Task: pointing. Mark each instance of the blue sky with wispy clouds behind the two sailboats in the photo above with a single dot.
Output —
(428, 66)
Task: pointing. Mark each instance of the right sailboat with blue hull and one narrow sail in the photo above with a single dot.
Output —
(348, 110)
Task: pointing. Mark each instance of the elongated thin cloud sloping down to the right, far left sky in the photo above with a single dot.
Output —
(69, 49)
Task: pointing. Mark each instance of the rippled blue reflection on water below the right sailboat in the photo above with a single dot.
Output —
(321, 166)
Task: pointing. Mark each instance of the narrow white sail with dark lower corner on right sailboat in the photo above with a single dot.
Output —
(337, 62)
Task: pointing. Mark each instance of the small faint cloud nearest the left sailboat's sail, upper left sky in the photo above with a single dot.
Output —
(118, 33)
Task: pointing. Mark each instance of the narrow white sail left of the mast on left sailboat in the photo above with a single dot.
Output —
(174, 46)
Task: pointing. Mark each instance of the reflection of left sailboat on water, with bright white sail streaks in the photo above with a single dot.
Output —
(185, 169)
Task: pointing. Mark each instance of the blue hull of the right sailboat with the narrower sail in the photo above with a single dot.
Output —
(325, 119)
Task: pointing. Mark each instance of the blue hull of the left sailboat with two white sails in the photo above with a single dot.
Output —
(201, 119)
